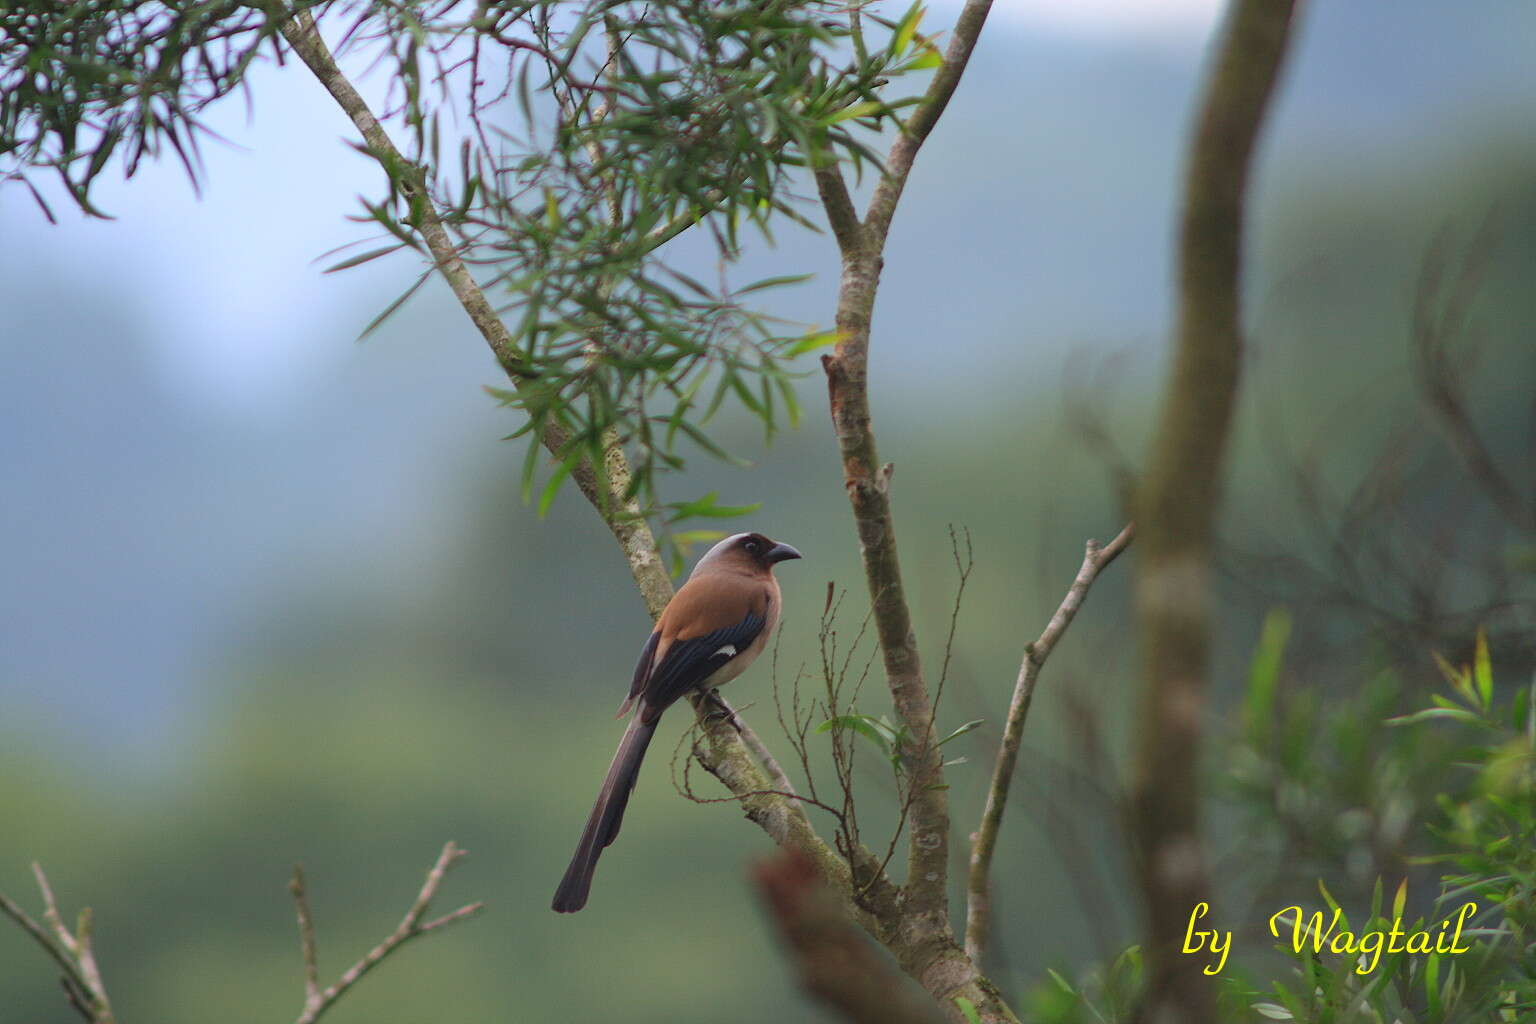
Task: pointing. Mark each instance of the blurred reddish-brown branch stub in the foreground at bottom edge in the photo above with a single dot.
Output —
(833, 960)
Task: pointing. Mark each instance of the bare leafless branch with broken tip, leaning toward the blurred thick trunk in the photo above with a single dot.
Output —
(984, 842)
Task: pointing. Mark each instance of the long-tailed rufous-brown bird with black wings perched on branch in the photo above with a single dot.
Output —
(710, 632)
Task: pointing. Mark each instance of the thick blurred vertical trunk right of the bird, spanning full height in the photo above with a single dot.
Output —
(1177, 503)
